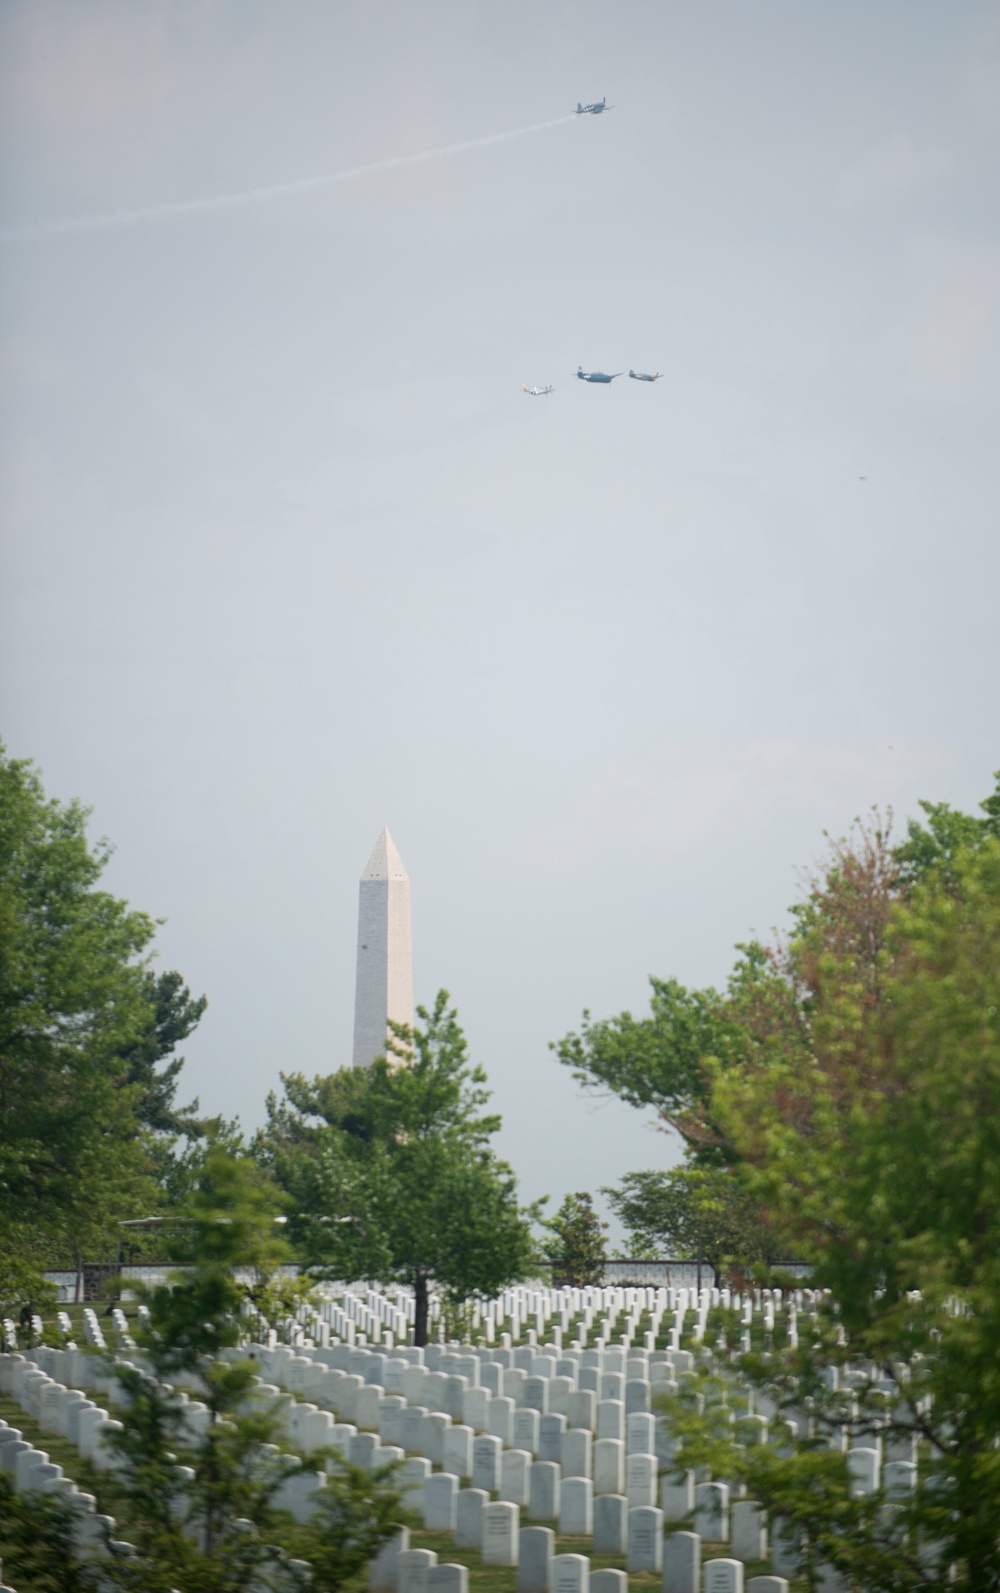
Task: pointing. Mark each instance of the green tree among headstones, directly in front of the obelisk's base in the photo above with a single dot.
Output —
(391, 1170)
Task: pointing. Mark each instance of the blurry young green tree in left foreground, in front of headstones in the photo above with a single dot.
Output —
(225, 1485)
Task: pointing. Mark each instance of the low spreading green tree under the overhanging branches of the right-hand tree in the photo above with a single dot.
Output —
(693, 1215)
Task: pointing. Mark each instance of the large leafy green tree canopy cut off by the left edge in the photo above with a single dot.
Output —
(84, 1024)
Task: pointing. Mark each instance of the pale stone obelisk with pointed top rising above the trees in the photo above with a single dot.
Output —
(385, 984)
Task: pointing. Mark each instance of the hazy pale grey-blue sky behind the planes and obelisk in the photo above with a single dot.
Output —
(289, 555)
